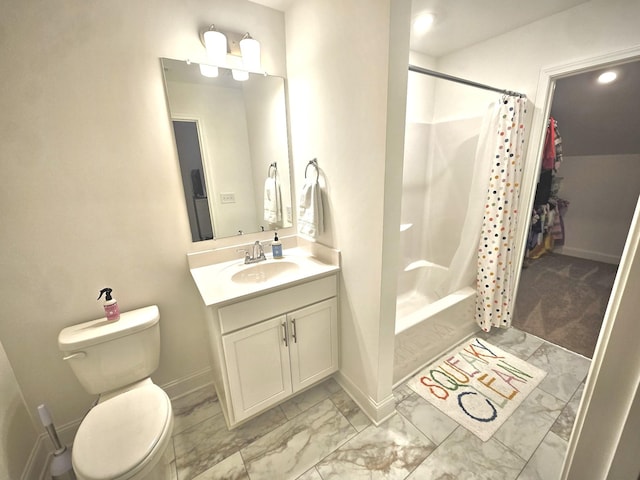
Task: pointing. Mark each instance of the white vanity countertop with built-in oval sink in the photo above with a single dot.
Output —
(216, 286)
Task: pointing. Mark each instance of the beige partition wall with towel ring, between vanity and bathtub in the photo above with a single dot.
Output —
(339, 55)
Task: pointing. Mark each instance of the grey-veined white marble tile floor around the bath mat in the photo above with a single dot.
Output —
(321, 434)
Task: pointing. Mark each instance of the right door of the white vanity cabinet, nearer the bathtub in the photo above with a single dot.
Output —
(313, 343)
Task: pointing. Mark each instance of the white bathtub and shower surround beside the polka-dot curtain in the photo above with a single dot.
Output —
(438, 168)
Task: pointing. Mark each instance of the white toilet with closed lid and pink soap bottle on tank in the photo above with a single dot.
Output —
(127, 433)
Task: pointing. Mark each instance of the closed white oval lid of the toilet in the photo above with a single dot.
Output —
(119, 434)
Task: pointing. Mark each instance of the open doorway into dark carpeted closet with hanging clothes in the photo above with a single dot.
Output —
(582, 208)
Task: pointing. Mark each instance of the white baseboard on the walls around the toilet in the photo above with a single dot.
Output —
(41, 454)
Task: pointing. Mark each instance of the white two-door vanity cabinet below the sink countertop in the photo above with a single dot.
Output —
(274, 345)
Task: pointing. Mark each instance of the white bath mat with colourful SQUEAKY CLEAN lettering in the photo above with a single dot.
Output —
(478, 385)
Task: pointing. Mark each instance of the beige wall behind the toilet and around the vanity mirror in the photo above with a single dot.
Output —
(91, 192)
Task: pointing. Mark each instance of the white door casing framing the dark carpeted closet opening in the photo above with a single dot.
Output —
(602, 418)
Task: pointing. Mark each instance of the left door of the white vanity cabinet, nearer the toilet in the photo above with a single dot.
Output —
(258, 366)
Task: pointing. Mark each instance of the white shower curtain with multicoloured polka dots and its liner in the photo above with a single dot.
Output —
(484, 252)
